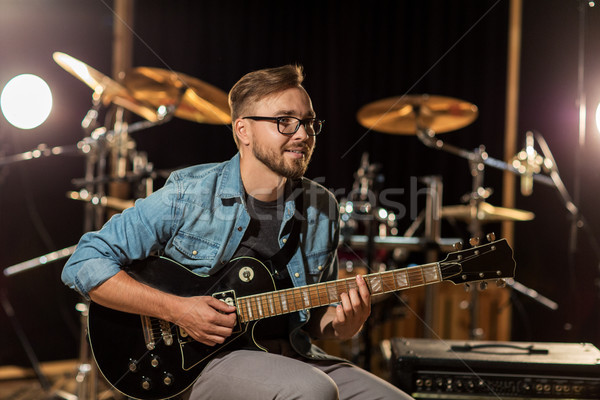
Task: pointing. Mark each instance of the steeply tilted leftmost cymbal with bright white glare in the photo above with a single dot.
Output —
(105, 88)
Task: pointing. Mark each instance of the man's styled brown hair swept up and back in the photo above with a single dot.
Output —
(261, 83)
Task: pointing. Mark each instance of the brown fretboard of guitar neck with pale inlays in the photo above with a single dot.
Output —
(269, 304)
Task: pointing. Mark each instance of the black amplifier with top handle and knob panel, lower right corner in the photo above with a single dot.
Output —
(452, 369)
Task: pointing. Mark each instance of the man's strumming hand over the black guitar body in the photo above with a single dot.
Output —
(205, 319)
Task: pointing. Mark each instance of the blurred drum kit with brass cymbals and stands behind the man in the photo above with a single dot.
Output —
(157, 95)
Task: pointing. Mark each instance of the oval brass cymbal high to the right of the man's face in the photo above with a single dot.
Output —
(398, 115)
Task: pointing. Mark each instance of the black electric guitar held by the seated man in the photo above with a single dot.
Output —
(149, 358)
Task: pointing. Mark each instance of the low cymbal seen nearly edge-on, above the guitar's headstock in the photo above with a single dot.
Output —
(486, 212)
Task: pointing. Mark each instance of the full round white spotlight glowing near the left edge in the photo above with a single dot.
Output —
(26, 101)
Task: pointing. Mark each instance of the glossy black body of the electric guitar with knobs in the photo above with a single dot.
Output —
(170, 365)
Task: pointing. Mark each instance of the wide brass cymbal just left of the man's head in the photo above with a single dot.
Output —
(194, 99)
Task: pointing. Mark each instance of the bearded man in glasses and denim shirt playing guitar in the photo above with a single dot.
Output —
(251, 205)
